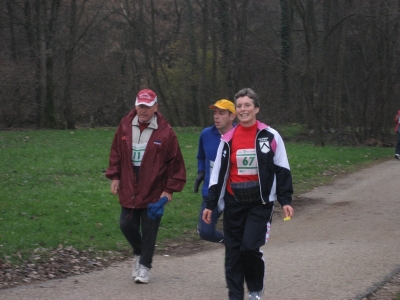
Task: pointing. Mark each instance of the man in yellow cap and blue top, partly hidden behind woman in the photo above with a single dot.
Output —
(224, 114)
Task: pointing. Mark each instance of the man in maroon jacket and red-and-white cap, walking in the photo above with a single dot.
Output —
(145, 165)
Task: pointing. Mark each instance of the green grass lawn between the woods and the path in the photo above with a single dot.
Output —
(53, 188)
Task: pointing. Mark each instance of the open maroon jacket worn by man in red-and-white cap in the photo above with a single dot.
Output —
(162, 167)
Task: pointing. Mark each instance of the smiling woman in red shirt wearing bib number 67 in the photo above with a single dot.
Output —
(250, 172)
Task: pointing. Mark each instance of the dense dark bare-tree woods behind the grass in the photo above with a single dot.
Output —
(331, 65)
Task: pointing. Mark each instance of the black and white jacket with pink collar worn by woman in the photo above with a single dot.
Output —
(273, 169)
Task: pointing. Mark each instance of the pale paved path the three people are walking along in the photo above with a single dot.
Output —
(343, 243)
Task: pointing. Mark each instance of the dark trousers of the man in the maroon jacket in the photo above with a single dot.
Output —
(141, 232)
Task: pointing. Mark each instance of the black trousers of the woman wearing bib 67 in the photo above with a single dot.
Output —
(246, 229)
